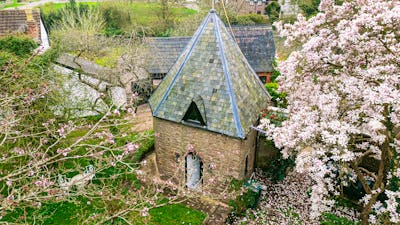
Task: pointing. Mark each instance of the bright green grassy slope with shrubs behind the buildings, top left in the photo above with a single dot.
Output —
(123, 17)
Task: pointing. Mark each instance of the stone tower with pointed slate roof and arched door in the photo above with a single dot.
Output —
(203, 111)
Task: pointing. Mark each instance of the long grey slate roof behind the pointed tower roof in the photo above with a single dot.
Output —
(256, 43)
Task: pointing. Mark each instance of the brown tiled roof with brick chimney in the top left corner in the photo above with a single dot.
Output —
(20, 21)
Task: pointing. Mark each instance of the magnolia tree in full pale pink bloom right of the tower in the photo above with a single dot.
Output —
(343, 92)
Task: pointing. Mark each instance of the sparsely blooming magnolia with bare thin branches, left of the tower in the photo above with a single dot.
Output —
(47, 159)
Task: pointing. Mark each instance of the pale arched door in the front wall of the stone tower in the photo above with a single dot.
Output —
(193, 171)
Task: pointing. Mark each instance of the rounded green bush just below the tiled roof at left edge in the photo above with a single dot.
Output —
(20, 45)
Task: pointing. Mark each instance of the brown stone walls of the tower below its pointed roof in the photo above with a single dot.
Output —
(223, 157)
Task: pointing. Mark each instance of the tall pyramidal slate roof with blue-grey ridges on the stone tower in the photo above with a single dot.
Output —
(213, 73)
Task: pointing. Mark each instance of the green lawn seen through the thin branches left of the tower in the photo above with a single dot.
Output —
(80, 210)
